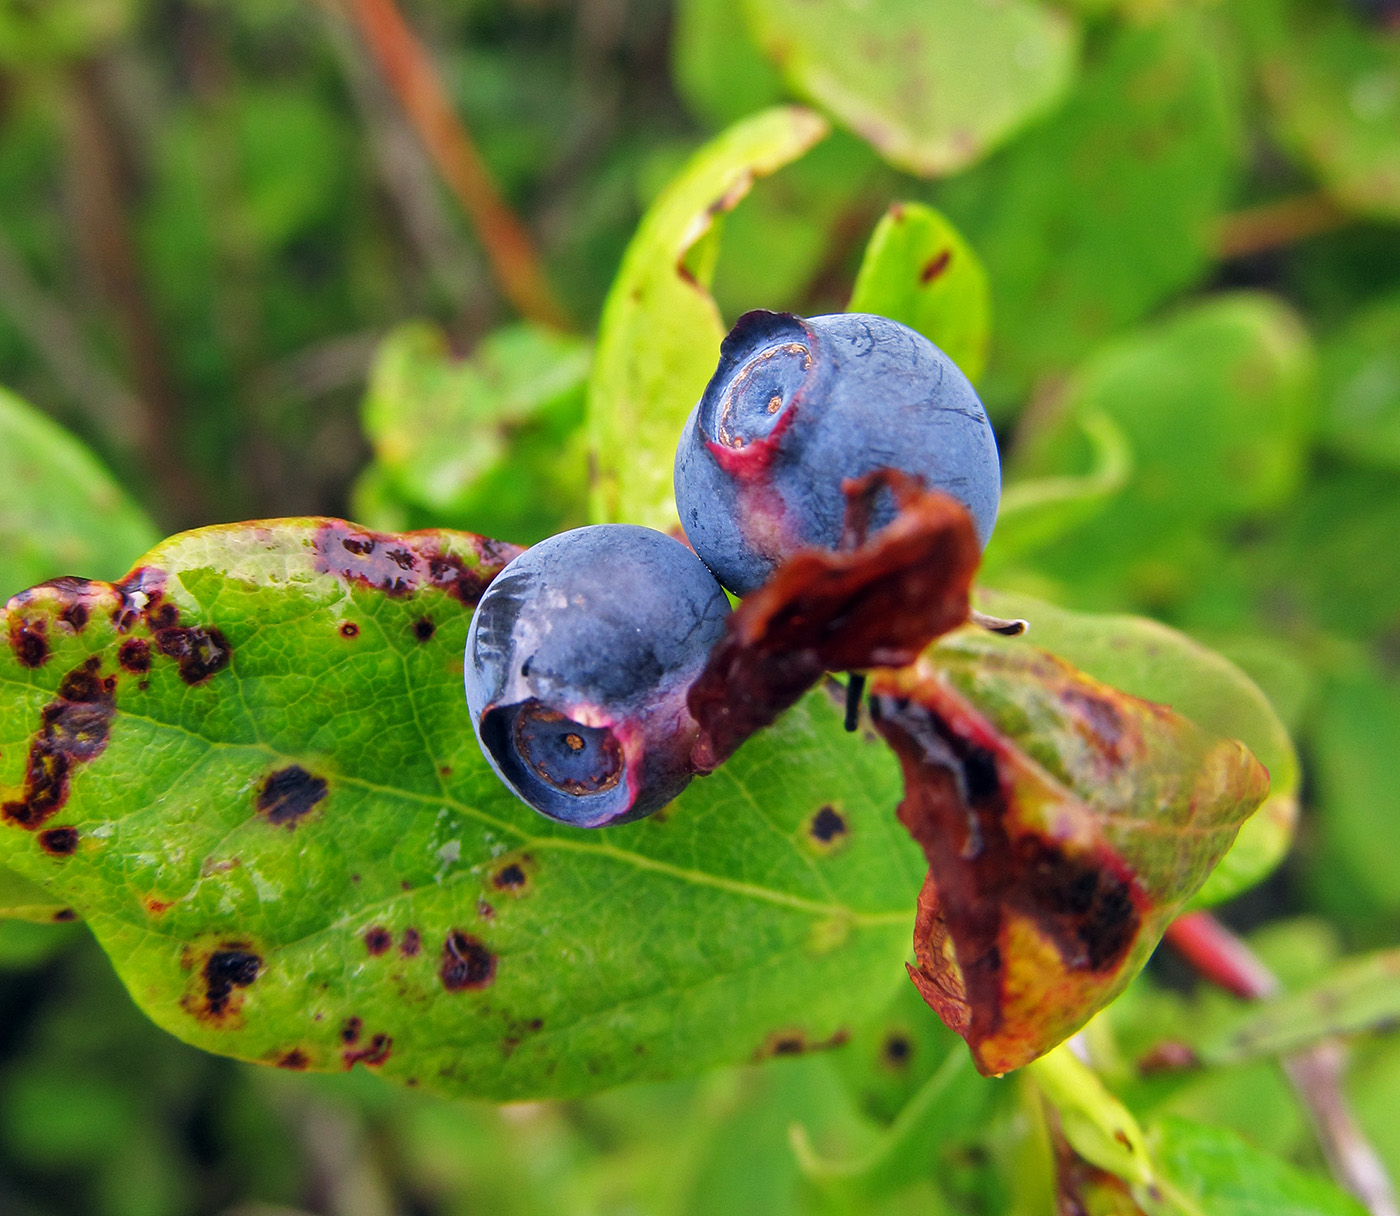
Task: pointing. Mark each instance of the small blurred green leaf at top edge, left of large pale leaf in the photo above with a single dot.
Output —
(720, 73)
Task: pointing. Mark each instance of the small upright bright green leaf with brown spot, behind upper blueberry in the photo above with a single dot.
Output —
(922, 272)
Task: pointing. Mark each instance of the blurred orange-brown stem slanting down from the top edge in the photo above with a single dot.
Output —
(415, 82)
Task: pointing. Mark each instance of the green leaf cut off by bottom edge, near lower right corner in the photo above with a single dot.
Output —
(1220, 1173)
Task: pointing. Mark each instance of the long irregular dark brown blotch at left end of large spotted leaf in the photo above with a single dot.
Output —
(75, 728)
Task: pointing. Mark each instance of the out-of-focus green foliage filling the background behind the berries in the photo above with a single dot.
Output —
(227, 265)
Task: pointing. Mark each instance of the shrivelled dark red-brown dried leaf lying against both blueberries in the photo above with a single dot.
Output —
(877, 602)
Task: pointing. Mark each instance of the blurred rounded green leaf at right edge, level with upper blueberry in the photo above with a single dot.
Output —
(1360, 380)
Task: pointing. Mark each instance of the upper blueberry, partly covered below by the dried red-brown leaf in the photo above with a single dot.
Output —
(796, 408)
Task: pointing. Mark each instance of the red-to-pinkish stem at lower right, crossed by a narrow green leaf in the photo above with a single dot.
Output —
(1317, 1073)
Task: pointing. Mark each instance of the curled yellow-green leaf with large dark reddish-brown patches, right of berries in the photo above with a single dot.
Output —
(1065, 823)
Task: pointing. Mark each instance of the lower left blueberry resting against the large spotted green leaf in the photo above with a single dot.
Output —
(577, 667)
